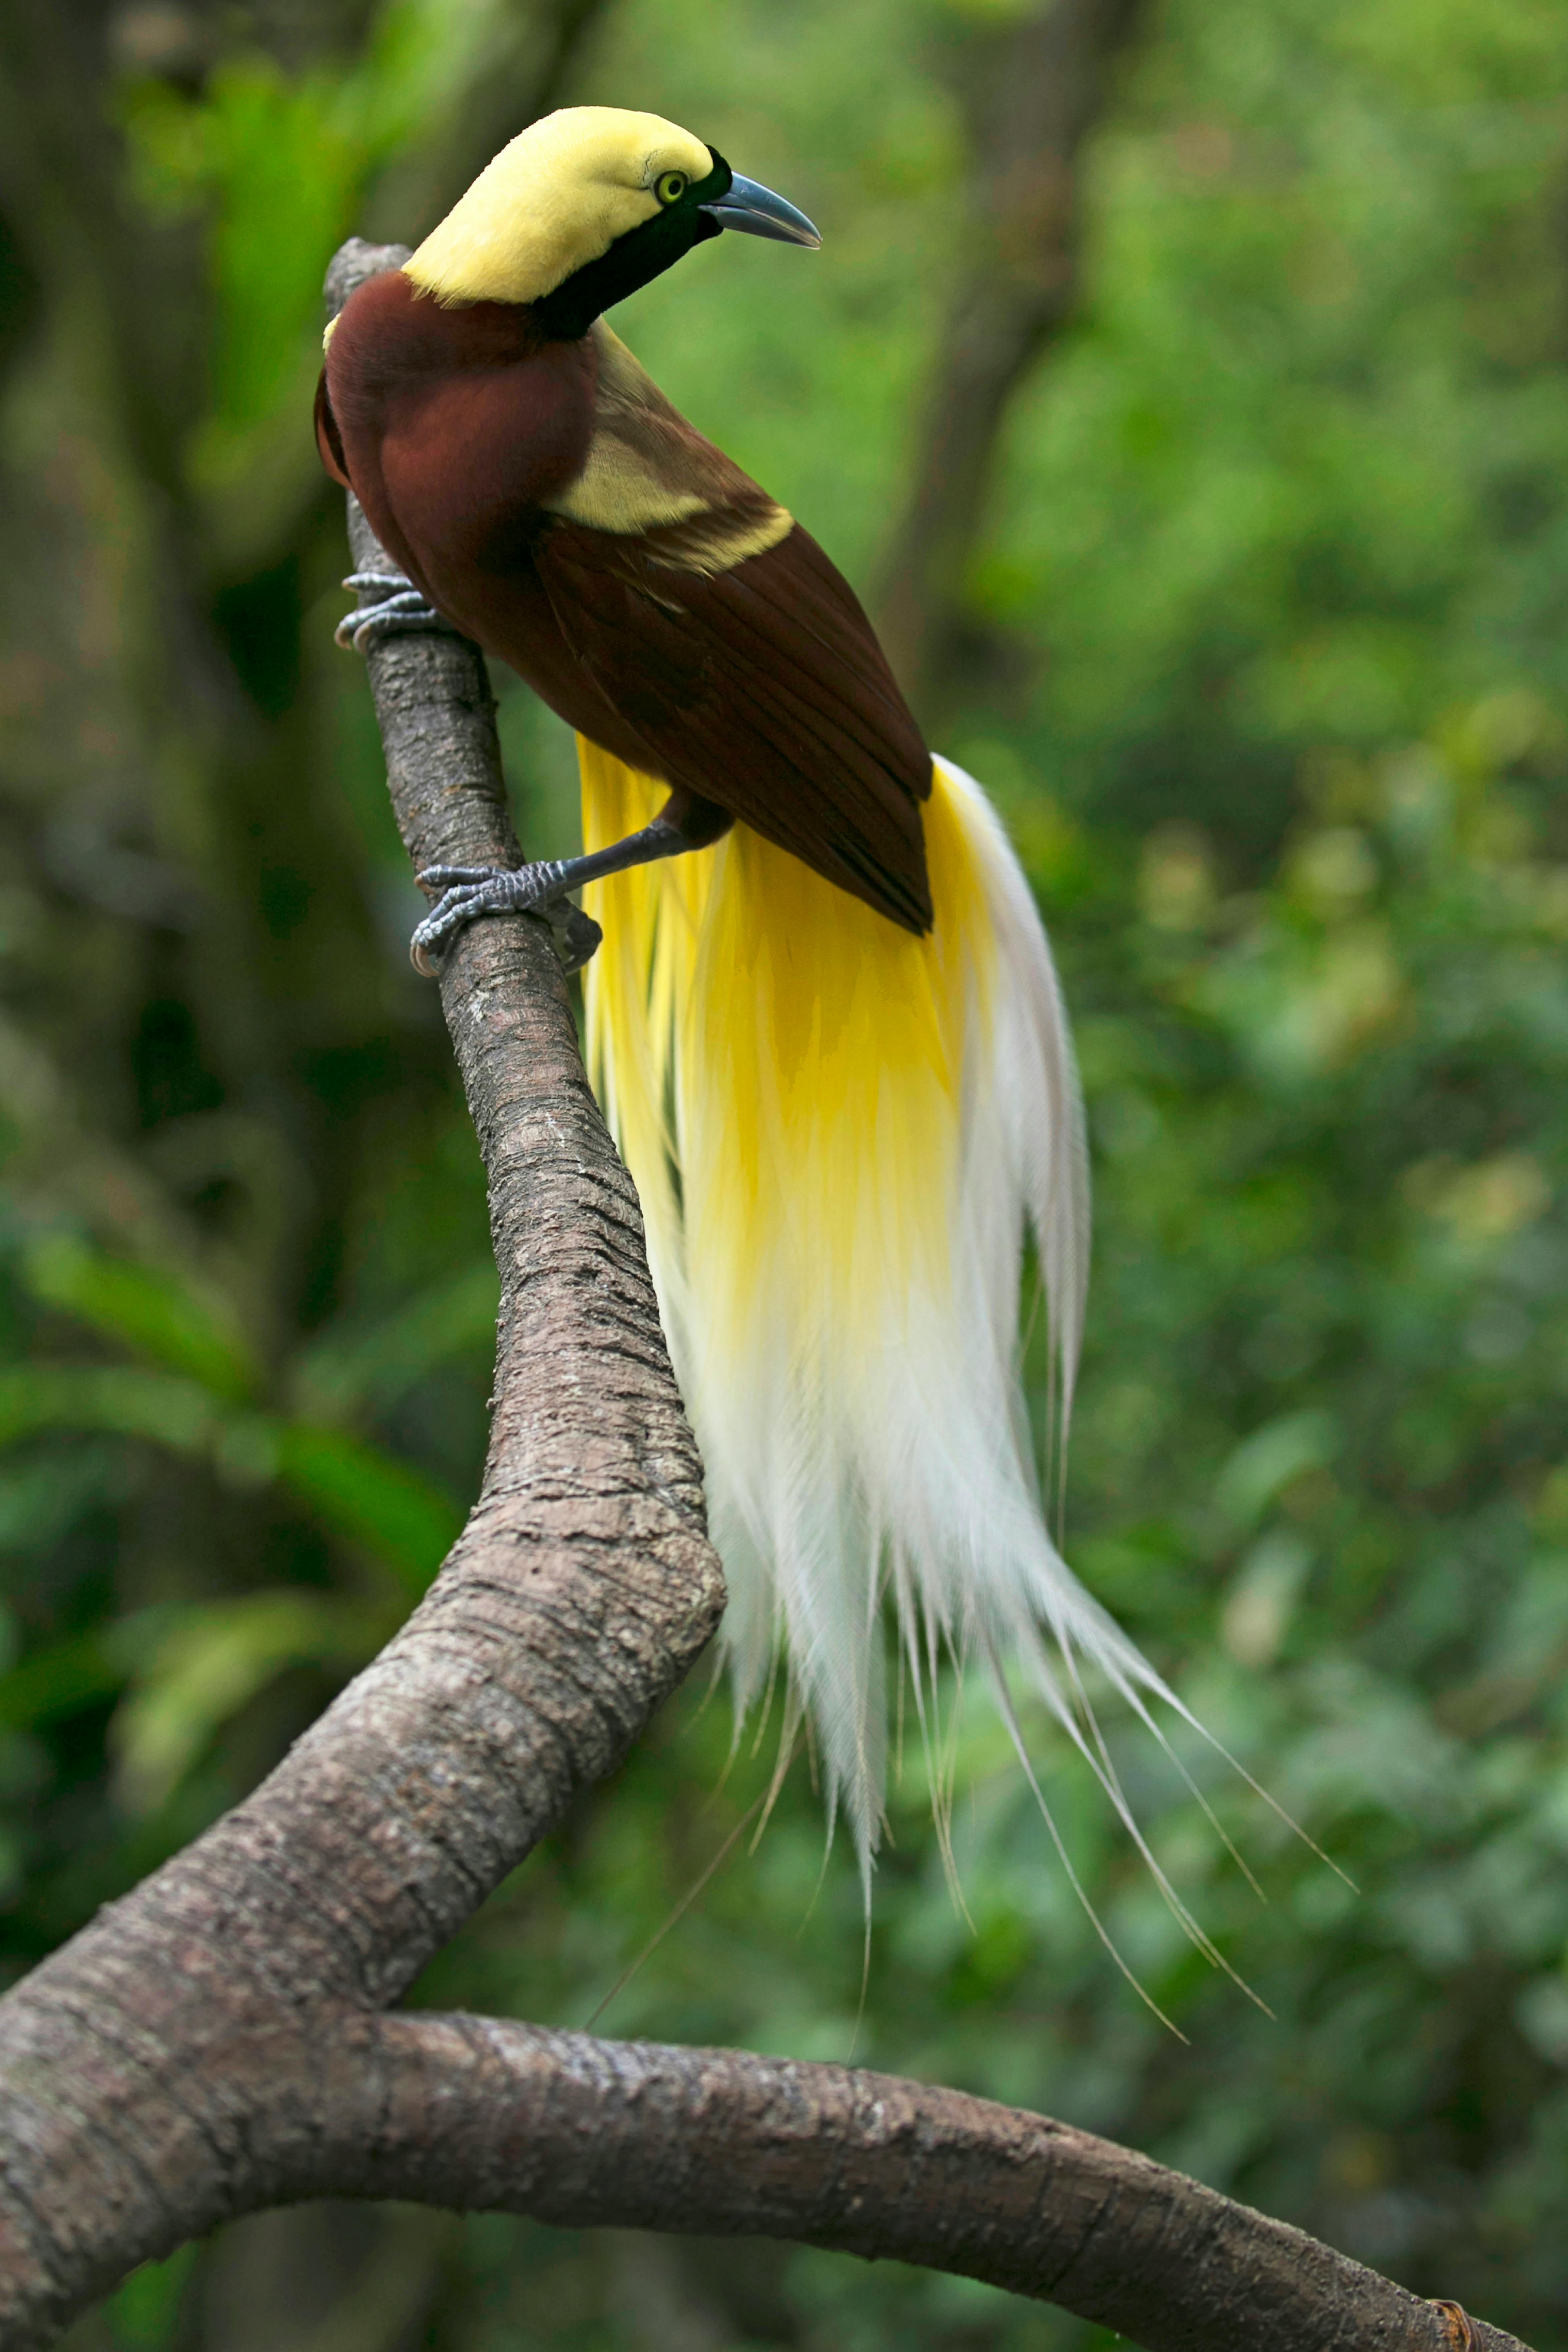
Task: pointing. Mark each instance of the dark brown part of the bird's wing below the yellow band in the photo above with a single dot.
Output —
(760, 688)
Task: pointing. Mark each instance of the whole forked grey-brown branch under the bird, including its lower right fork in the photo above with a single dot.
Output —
(217, 2040)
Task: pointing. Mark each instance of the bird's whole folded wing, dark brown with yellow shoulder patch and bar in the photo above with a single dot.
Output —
(735, 650)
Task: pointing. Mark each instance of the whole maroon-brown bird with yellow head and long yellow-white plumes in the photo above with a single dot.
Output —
(824, 1020)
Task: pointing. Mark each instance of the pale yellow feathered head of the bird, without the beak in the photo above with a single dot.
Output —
(558, 199)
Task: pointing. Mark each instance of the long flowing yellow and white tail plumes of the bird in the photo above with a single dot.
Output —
(840, 1137)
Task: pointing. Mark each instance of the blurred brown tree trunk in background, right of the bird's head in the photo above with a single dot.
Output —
(1031, 91)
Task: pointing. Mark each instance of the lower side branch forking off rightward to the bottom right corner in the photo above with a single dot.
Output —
(507, 2118)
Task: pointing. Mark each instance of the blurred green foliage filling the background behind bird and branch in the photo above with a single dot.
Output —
(1285, 533)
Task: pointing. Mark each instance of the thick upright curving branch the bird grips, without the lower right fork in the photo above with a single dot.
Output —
(135, 2062)
